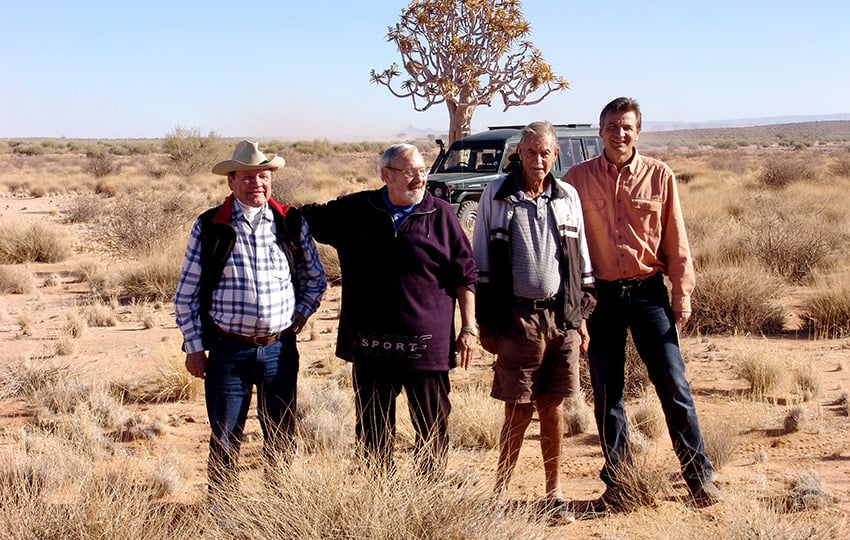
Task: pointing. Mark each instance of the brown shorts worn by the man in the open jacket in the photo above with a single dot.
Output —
(535, 358)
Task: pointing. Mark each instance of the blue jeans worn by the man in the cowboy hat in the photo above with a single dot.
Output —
(233, 369)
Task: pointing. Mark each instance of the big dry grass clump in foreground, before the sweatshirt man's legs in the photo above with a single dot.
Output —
(318, 498)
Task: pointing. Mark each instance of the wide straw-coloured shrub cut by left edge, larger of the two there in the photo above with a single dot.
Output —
(33, 242)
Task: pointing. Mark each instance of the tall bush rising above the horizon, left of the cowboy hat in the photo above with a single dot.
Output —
(190, 152)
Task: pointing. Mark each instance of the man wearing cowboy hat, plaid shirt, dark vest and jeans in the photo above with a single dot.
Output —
(251, 278)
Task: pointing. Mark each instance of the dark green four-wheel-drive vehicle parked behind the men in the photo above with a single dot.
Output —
(460, 174)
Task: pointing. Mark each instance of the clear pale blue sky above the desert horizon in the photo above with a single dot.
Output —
(300, 70)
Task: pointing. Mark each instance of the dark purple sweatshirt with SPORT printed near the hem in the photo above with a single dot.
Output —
(398, 287)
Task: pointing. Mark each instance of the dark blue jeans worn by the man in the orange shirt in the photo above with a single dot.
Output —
(644, 308)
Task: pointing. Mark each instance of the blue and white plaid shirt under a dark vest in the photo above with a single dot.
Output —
(255, 296)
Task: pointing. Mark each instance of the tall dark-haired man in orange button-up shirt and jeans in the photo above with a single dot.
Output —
(636, 235)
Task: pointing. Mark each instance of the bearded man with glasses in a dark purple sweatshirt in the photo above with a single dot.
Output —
(405, 263)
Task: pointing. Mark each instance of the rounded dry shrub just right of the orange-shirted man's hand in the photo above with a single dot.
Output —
(736, 300)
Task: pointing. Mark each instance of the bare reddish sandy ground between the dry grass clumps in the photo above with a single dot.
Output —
(763, 462)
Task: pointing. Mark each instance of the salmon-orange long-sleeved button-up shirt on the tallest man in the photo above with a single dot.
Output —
(634, 224)
